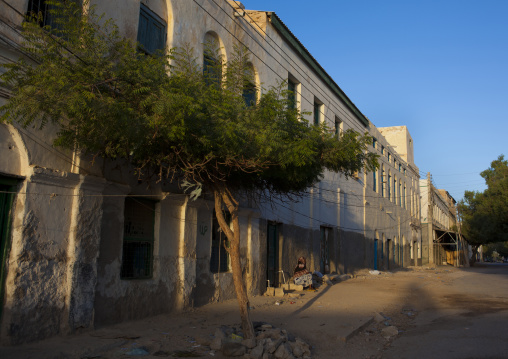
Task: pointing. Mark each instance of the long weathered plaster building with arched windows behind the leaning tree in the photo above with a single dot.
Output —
(85, 245)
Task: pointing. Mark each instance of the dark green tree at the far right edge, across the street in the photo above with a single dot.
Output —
(485, 214)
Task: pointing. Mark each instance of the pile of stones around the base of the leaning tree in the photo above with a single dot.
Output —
(270, 343)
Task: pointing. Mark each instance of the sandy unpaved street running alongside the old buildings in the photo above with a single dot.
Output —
(441, 312)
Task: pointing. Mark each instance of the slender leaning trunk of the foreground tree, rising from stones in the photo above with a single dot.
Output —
(234, 254)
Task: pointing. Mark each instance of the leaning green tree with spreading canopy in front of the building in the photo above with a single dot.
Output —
(174, 120)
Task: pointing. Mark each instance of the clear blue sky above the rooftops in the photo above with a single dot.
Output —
(438, 67)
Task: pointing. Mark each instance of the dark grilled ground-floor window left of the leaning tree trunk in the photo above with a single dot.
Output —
(137, 257)
